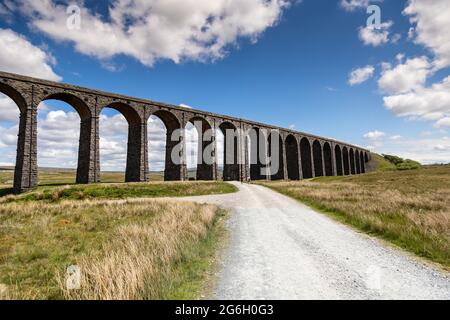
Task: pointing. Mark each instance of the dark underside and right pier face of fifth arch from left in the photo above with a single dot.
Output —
(205, 159)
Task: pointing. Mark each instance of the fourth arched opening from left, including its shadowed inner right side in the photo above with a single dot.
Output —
(164, 135)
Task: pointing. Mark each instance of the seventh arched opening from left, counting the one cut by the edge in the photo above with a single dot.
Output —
(257, 153)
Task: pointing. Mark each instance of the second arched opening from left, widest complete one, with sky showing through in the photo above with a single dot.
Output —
(63, 139)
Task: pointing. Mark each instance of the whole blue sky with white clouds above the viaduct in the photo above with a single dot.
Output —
(289, 65)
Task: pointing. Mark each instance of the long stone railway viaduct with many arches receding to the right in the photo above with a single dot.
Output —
(302, 155)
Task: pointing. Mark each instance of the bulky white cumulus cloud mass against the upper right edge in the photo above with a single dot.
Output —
(405, 85)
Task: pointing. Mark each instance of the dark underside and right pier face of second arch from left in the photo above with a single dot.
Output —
(87, 164)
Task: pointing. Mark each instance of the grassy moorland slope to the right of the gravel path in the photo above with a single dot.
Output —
(409, 208)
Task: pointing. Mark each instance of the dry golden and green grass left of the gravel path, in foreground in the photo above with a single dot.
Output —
(127, 249)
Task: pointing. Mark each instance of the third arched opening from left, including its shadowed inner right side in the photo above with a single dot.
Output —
(120, 143)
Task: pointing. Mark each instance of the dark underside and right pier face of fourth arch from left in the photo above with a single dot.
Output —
(173, 167)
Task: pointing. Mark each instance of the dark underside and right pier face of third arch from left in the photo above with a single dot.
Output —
(136, 169)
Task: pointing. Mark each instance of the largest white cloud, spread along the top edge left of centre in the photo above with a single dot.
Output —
(149, 30)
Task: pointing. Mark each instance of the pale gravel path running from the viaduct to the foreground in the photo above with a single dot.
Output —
(281, 249)
